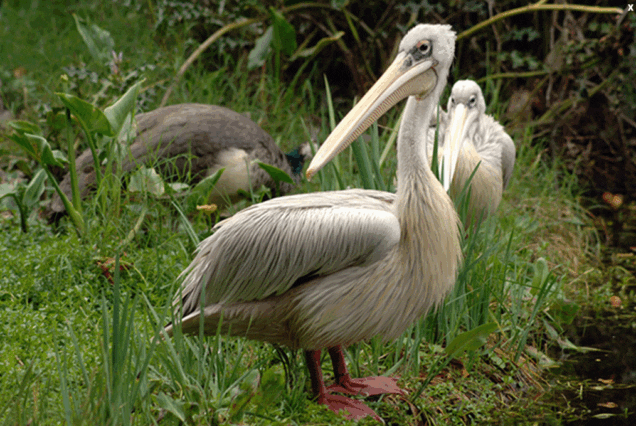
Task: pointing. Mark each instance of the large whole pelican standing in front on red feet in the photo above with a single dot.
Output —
(329, 269)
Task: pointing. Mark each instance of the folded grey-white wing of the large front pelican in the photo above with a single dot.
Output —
(268, 248)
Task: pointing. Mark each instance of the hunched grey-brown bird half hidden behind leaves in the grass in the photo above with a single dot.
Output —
(191, 141)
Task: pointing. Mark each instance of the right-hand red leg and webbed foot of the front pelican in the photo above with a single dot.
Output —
(366, 386)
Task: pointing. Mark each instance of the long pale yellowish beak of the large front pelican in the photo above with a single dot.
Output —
(399, 81)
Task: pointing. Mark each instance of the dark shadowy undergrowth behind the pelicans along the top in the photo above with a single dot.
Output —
(566, 76)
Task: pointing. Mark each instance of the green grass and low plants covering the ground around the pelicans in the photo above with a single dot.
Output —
(77, 342)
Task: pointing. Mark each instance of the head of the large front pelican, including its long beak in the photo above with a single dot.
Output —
(423, 60)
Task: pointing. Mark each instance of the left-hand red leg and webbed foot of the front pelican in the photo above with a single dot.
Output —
(355, 409)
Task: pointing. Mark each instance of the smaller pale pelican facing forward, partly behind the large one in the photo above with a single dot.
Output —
(486, 147)
